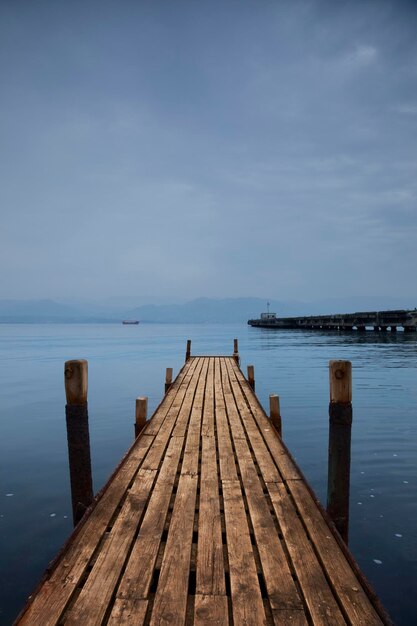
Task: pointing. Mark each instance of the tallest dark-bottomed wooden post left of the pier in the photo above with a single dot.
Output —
(76, 411)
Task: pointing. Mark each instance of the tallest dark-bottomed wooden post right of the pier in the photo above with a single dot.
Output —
(340, 425)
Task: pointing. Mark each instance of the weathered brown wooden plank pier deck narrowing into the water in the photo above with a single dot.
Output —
(206, 521)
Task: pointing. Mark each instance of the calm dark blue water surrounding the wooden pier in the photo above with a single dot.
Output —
(128, 361)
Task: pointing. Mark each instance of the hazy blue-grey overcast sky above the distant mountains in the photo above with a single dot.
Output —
(173, 148)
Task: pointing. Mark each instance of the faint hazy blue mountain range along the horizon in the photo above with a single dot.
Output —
(199, 310)
